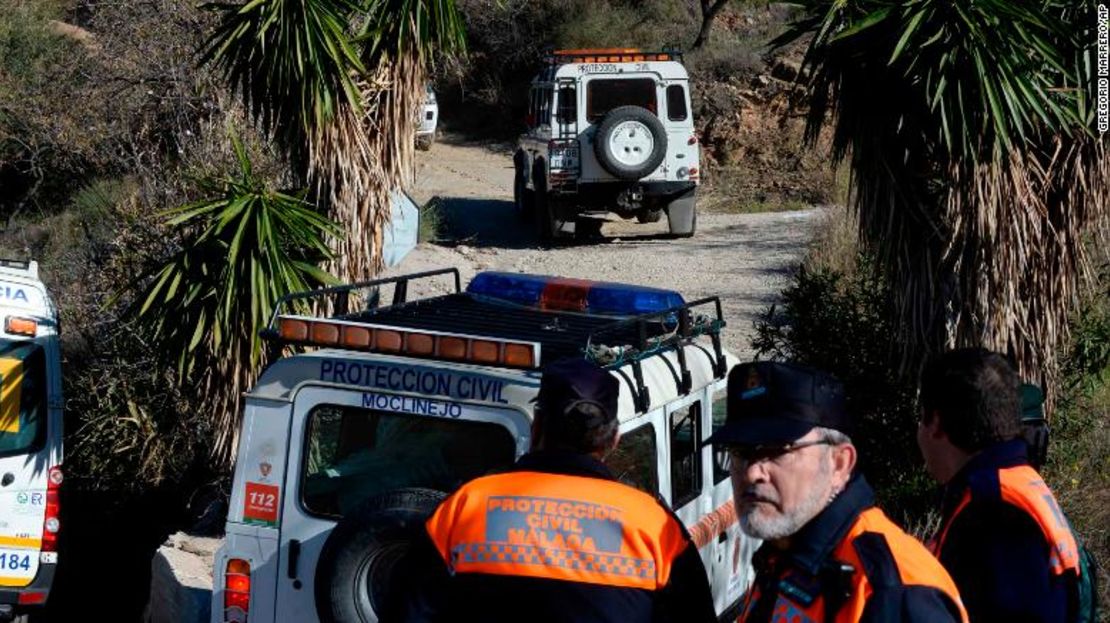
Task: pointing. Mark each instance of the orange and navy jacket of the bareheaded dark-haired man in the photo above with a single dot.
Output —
(1005, 541)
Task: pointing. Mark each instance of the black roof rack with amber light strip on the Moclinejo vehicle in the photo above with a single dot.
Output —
(471, 327)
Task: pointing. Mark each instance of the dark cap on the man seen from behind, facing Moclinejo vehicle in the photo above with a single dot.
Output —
(569, 383)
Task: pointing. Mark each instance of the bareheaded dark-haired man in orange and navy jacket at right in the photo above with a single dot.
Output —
(1003, 536)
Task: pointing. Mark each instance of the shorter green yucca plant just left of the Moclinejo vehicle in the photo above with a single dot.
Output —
(244, 247)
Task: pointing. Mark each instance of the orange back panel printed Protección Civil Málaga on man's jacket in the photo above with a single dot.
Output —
(558, 527)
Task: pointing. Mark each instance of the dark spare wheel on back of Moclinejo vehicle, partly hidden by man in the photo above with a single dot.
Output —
(356, 578)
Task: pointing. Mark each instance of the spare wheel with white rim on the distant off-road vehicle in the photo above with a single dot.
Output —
(631, 143)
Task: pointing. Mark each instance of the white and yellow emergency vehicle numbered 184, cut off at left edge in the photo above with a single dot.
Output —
(31, 440)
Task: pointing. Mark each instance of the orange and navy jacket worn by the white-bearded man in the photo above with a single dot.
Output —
(851, 564)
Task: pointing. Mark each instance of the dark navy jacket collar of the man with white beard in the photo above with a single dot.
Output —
(812, 546)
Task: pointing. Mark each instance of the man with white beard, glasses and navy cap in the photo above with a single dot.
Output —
(830, 555)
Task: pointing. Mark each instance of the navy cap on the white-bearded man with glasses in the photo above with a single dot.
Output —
(775, 403)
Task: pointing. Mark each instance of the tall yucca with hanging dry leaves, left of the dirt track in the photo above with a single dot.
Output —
(339, 84)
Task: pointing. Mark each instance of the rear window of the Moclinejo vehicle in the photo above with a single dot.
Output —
(354, 455)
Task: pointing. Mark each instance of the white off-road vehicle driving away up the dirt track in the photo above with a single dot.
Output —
(609, 132)
